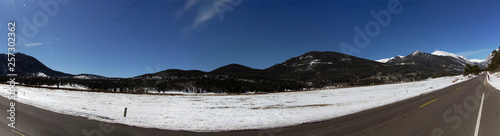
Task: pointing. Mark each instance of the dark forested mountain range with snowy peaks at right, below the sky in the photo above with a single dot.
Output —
(310, 70)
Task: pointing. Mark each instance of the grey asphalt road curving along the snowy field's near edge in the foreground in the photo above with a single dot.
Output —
(452, 111)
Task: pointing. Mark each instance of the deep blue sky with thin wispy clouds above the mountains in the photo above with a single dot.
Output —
(126, 38)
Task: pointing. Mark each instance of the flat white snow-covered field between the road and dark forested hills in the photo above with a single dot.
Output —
(204, 113)
